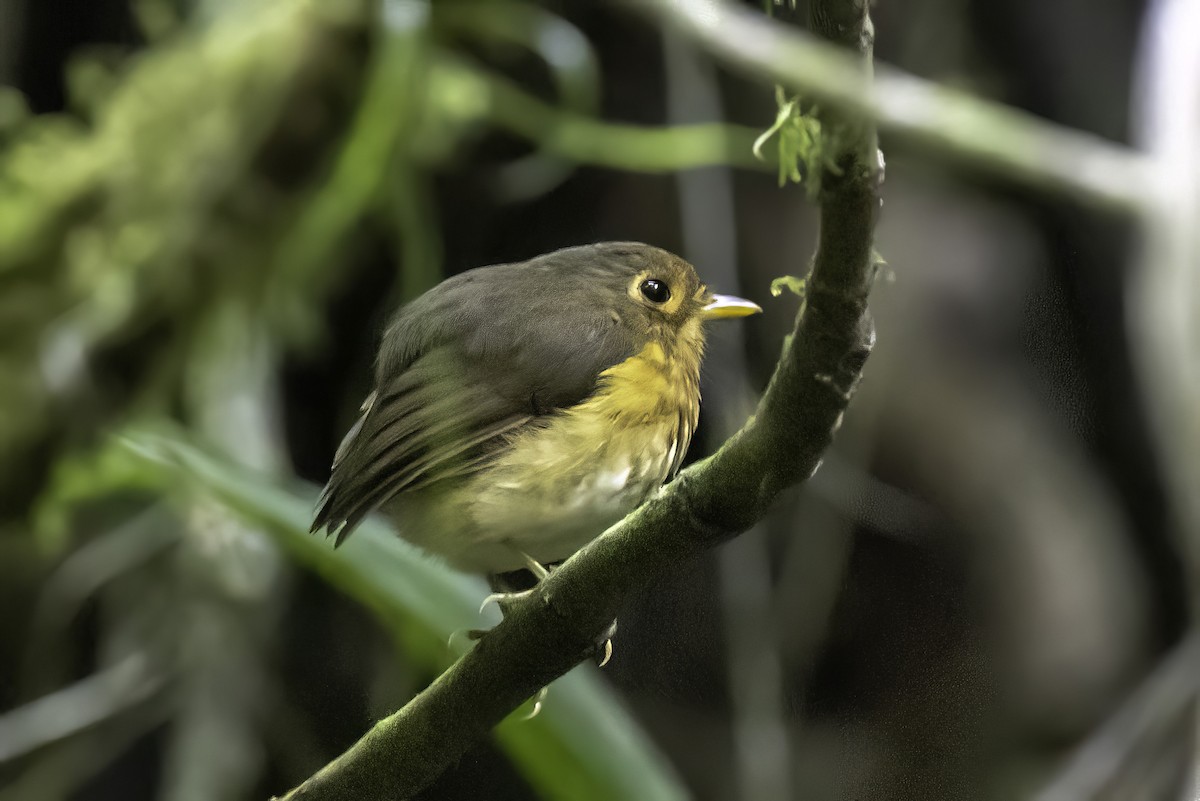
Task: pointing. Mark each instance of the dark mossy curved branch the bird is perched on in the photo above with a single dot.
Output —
(555, 629)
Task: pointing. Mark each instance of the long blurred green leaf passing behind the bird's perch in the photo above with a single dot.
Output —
(583, 748)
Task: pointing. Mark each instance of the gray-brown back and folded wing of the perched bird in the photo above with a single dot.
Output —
(471, 362)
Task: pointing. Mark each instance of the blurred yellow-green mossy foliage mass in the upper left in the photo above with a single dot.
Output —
(159, 209)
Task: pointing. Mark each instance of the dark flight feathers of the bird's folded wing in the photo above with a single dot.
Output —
(434, 421)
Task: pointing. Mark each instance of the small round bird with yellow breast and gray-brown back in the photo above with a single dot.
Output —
(521, 409)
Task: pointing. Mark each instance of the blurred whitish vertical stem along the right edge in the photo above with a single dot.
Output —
(1166, 294)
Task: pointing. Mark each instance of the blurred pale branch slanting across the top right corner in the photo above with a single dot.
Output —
(1004, 142)
